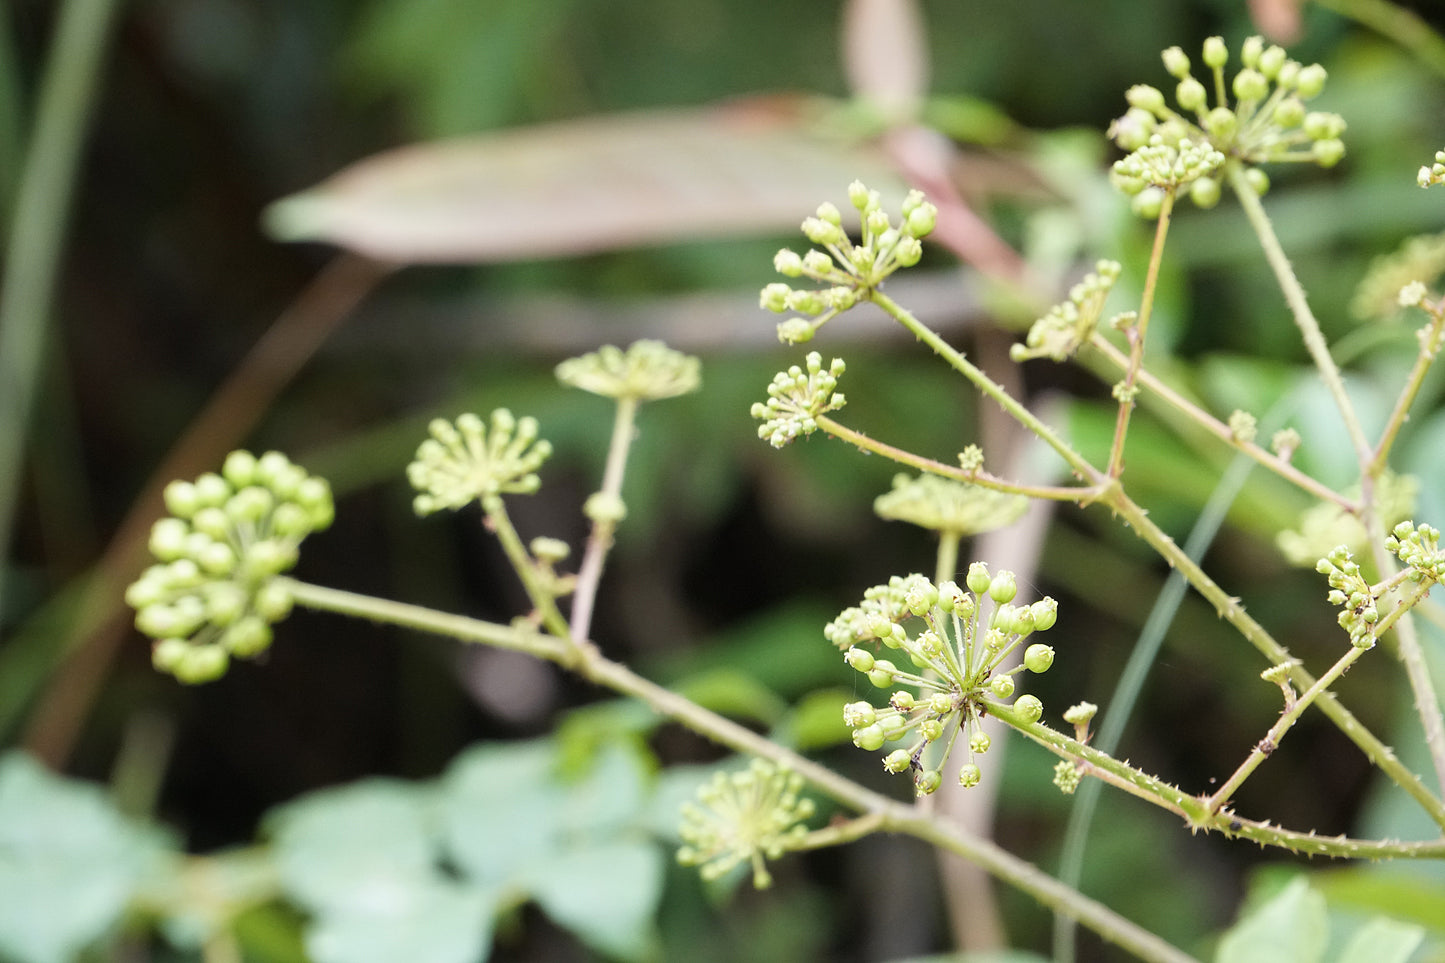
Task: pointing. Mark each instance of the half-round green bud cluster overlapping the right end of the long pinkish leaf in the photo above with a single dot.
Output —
(849, 271)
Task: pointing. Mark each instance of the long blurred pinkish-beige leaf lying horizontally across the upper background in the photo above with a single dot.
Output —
(585, 186)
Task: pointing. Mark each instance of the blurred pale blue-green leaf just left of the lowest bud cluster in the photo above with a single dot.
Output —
(606, 894)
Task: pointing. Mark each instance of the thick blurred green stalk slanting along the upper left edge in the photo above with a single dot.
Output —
(34, 247)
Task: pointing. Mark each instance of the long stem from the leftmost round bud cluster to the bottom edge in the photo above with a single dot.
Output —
(887, 815)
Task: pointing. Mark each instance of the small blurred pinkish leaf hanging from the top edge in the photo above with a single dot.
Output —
(885, 53)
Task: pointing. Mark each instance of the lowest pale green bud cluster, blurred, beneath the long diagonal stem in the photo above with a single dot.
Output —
(741, 818)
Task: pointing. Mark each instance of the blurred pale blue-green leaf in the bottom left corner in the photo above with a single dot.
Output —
(70, 863)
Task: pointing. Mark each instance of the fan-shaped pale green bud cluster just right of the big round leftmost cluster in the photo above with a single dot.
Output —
(472, 459)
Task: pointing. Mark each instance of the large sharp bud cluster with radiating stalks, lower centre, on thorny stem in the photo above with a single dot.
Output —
(954, 676)
